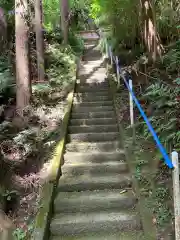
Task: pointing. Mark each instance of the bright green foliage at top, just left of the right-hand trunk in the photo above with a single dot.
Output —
(118, 16)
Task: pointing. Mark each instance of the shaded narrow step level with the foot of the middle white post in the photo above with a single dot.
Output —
(93, 121)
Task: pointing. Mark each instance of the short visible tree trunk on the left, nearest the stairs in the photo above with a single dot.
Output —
(64, 19)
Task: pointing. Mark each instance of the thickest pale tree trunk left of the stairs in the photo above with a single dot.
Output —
(23, 90)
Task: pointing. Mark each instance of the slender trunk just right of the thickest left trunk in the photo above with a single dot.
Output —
(39, 40)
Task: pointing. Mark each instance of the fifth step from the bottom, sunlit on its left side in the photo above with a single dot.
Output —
(94, 169)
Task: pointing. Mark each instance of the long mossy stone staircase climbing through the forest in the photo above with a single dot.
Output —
(94, 198)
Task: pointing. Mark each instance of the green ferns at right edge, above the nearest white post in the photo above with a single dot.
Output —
(164, 99)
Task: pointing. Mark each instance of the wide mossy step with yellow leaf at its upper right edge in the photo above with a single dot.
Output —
(91, 201)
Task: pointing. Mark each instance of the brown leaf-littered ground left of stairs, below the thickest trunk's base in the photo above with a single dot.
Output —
(26, 148)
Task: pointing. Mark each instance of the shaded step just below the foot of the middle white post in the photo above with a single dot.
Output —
(93, 129)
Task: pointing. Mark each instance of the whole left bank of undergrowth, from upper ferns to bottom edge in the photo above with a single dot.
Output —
(26, 148)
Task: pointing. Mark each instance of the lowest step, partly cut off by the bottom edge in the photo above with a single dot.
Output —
(134, 235)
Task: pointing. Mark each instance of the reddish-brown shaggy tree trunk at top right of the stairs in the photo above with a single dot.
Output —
(150, 36)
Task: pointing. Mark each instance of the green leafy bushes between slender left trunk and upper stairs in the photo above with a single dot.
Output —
(61, 62)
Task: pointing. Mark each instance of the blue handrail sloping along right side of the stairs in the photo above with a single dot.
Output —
(158, 143)
